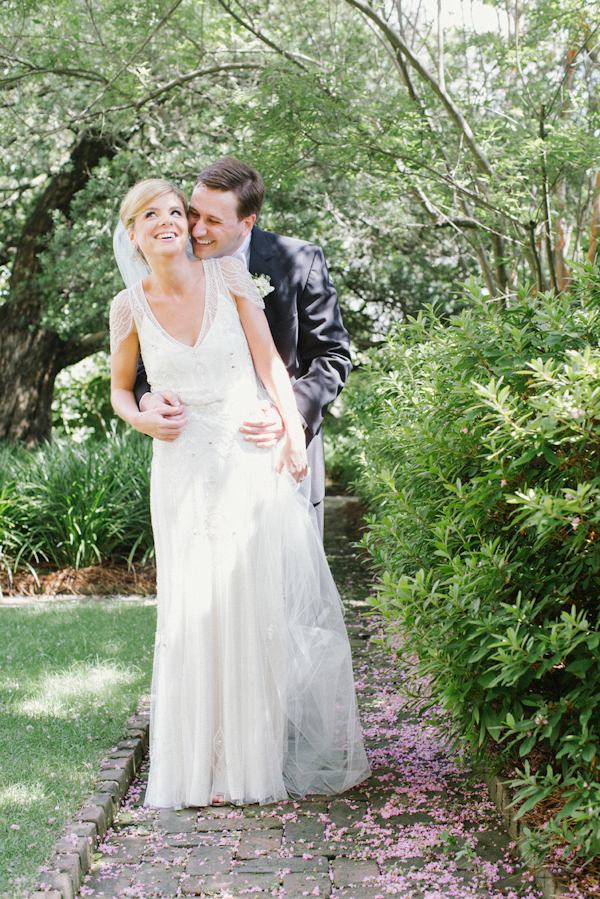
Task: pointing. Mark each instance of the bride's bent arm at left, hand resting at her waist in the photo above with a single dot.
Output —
(123, 370)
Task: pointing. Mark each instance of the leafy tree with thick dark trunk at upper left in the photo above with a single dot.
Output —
(84, 115)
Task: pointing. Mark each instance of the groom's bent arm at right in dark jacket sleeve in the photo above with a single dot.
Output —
(323, 344)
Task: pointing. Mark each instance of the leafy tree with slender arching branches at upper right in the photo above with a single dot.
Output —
(491, 132)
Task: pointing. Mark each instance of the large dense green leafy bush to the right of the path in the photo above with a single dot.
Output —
(480, 452)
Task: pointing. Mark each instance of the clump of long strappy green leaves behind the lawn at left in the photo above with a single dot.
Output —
(76, 504)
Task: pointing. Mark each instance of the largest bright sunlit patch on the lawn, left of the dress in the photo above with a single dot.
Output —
(65, 693)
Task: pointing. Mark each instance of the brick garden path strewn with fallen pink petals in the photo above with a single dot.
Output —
(422, 826)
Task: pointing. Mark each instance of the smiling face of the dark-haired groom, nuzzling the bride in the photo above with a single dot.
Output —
(214, 225)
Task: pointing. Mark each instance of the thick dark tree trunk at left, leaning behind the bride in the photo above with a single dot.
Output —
(31, 356)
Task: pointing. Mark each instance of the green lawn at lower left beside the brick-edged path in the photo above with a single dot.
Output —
(70, 675)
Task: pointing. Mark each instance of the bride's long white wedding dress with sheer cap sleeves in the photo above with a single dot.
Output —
(253, 692)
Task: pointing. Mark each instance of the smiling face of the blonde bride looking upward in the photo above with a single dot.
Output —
(161, 229)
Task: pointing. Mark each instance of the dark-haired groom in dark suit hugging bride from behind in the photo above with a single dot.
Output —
(302, 309)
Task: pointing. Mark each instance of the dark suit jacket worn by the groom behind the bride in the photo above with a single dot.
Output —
(305, 320)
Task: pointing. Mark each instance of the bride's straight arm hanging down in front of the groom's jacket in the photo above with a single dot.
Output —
(274, 376)
